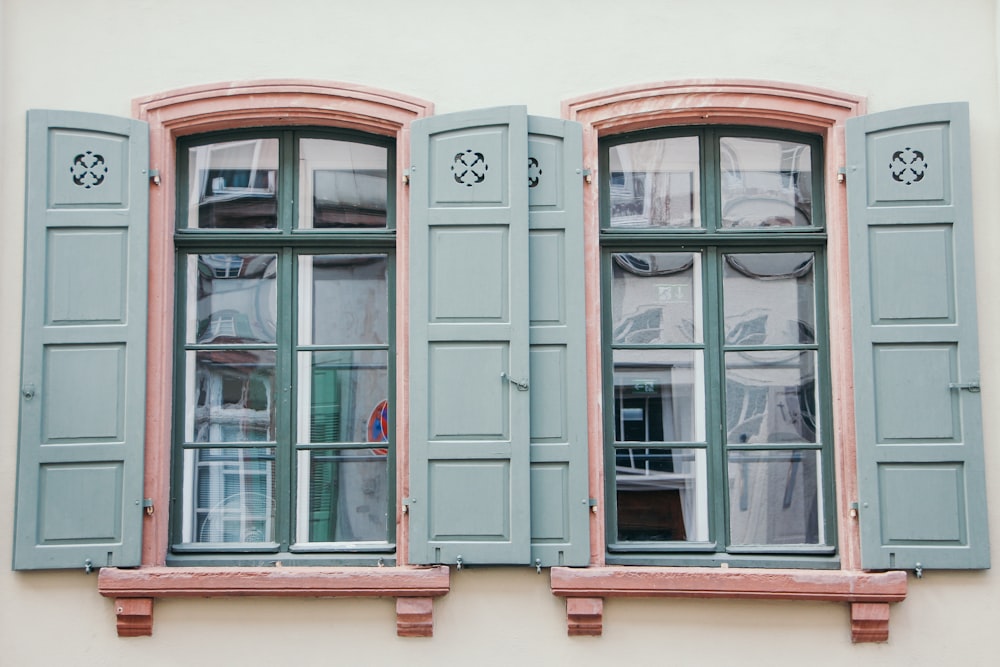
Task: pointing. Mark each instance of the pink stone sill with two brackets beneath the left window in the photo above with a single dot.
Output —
(413, 587)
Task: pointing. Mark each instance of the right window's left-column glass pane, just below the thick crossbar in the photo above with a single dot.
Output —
(656, 298)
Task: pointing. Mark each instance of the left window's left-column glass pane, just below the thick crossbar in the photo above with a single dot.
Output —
(232, 299)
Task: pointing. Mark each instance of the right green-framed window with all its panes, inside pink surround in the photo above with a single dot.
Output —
(716, 378)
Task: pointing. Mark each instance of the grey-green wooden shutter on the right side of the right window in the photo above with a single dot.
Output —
(921, 485)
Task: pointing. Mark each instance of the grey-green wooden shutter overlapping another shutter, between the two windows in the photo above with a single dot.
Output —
(469, 405)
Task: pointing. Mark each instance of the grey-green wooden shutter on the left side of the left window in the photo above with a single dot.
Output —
(80, 465)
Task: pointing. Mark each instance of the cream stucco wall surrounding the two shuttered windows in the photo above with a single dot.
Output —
(100, 54)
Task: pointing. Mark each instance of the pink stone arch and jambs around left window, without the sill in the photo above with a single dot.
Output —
(238, 105)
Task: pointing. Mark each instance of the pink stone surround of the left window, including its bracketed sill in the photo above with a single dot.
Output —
(224, 106)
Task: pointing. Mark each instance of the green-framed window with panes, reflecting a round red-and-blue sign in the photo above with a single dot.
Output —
(284, 442)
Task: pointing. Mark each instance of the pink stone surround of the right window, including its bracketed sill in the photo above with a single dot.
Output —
(751, 103)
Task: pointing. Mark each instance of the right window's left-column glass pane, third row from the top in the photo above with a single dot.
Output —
(659, 396)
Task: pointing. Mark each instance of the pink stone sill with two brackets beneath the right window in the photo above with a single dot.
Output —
(868, 593)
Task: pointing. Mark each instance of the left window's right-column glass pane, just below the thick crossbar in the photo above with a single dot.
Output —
(344, 300)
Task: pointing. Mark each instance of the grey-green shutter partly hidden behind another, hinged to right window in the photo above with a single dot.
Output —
(560, 511)
